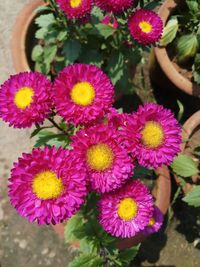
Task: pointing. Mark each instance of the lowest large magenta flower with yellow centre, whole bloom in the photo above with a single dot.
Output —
(127, 211)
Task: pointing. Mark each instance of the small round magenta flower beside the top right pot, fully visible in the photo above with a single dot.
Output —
(145, 26)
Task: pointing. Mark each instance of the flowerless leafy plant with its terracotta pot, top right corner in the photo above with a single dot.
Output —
(178, 51)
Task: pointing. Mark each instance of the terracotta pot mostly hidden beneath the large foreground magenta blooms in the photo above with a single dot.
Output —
(161, 192)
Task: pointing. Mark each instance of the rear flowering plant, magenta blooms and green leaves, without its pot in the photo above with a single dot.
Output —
(110, 34)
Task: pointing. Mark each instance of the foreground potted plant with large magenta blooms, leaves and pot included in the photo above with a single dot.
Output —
(90, 170)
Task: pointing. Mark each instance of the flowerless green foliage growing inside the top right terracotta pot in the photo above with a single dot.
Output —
(182, 37)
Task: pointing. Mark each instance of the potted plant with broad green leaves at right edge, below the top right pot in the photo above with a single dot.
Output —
(186, 165)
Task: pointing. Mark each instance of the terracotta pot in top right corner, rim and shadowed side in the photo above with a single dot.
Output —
(166, 65)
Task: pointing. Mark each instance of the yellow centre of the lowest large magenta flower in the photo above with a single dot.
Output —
(127, 209)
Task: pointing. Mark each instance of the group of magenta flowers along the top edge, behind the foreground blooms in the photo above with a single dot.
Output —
(145, 26)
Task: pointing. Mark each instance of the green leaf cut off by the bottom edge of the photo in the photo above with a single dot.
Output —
(87, 260)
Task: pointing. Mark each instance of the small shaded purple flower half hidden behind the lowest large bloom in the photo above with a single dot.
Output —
(155, 222)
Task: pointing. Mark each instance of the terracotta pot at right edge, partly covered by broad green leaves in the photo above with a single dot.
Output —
(188, 130)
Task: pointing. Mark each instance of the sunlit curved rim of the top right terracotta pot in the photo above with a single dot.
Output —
(164, 61)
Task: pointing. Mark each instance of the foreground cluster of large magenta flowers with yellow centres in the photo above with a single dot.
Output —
(49, 185)
